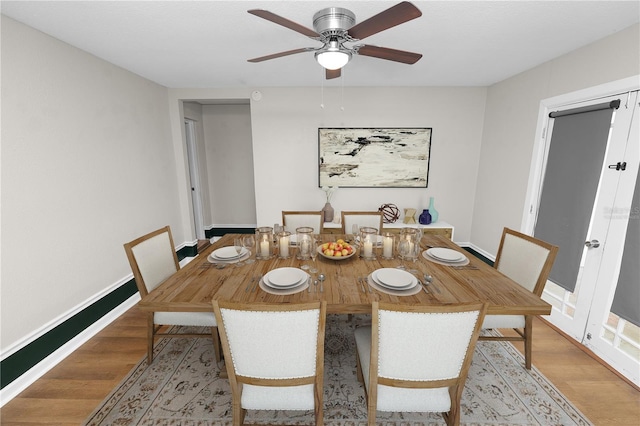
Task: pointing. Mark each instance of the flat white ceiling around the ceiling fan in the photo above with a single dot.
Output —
(206, 44)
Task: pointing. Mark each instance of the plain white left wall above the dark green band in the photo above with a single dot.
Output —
(87, 165)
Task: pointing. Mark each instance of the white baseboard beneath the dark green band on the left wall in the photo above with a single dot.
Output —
(34, 373)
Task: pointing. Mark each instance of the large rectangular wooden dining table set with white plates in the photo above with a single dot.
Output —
(199, 282)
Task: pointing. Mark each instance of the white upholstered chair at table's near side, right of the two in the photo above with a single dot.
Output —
(416, 358)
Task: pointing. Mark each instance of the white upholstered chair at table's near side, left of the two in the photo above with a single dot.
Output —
(274, 355)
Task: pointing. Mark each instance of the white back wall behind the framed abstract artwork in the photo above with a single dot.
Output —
(285, 137)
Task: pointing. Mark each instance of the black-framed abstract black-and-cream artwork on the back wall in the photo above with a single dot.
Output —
(374, 157)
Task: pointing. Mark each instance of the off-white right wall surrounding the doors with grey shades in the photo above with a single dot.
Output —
(510, 126)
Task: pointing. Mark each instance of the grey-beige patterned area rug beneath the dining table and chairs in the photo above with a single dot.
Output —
(182, 387)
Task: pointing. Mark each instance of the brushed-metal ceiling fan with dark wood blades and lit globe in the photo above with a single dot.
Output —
(334, 27)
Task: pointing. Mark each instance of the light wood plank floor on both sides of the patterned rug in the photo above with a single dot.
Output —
(68, 393)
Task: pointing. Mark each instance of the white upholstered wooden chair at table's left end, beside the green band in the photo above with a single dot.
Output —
(153, 259)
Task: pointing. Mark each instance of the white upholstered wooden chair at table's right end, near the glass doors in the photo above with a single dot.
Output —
(527, 261)
